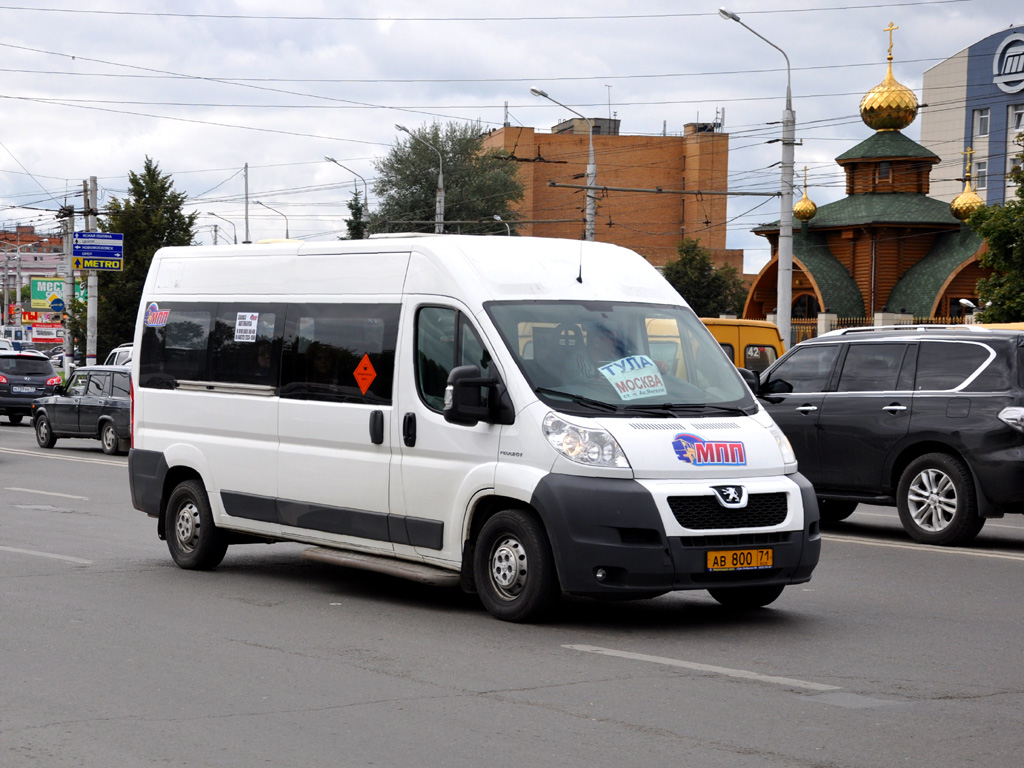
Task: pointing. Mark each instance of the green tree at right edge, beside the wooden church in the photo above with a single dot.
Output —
(1003, 229)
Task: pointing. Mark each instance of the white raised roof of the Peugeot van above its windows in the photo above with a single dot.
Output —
(483, 268)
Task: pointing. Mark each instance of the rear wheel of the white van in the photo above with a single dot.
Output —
(193, 540)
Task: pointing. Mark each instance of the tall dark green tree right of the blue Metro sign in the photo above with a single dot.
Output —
(150, 218)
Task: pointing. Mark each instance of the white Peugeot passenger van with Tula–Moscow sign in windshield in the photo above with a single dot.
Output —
(484, 412)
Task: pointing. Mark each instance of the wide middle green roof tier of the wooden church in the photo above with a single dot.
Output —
(886, 208)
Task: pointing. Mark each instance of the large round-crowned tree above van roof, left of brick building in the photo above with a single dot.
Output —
(479, 186)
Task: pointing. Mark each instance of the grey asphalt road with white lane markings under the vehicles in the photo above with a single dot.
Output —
(894, 655)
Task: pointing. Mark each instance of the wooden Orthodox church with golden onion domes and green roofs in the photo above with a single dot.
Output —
(887, 246)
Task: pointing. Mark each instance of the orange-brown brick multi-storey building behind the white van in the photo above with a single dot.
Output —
(631, 170)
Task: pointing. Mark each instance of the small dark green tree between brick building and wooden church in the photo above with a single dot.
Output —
(709, 290)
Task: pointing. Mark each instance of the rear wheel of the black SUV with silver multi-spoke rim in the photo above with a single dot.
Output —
(937, 501)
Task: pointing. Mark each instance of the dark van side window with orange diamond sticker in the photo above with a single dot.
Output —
(340, 353)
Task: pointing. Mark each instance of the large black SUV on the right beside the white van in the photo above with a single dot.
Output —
(929, 418)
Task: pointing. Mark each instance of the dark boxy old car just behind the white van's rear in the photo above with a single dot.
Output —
(97, 403)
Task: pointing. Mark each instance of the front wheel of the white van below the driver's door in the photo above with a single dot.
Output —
(515, 569)
